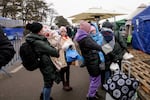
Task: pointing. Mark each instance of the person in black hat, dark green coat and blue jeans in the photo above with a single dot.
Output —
(44, 50)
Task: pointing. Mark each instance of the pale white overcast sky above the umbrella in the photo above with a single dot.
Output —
(68, 8)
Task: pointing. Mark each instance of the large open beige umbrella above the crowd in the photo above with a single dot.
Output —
(94, 14)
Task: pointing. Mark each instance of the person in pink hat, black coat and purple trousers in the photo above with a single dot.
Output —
(89, 49)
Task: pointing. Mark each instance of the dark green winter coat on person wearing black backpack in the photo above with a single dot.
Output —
(45, 50)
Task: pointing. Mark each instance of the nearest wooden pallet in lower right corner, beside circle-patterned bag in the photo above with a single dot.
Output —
(141, 71)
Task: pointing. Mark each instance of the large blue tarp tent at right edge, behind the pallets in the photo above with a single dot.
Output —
(141, 31)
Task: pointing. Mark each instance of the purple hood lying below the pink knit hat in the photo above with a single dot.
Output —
(80, 35)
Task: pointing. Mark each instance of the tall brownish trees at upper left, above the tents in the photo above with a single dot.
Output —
(27, 10)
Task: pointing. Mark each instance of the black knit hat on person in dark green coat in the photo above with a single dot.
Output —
(35, 27)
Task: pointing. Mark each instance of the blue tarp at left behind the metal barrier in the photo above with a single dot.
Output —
(13, 33)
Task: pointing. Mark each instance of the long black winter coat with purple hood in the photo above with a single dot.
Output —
(89, 49)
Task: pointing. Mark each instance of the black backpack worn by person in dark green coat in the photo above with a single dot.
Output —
(29, 57)
